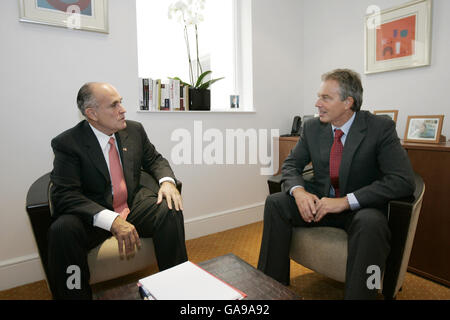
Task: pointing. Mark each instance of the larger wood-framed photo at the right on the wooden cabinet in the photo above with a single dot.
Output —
(424, 129)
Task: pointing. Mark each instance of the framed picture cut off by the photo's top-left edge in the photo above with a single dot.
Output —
(89, 15)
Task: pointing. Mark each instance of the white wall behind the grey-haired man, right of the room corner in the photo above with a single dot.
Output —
(334, 38)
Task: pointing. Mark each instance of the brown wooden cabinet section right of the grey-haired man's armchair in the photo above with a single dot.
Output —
(430, 256)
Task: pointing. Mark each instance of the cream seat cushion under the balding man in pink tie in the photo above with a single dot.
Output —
(105, 263)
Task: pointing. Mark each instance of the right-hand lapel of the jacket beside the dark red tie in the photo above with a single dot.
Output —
(355, 137)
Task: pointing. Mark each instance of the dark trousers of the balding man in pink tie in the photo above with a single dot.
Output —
(70, 240)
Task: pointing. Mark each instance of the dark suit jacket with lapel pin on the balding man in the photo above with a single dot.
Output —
(80, 176)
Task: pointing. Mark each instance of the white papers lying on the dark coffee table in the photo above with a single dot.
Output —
(187, 281)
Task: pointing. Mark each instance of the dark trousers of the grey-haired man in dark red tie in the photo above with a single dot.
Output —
(368, 242)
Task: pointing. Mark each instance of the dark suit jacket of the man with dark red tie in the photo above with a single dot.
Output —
(374, 165)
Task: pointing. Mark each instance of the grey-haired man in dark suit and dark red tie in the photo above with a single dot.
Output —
(359, 166)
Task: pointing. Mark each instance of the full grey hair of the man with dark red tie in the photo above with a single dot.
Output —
(349, 84)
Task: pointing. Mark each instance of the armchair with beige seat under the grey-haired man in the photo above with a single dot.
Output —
(324, 249)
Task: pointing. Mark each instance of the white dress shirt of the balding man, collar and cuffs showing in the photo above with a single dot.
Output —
(105, 218)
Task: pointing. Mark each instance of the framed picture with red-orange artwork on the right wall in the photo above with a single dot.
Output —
(398, 38)
